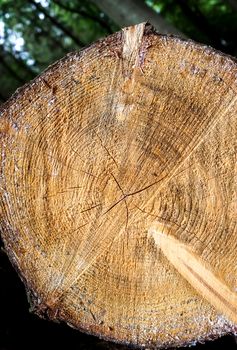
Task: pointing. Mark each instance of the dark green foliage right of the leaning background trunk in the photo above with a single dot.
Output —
(213, 22)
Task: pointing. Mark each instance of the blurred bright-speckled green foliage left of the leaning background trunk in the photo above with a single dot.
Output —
(34, 34)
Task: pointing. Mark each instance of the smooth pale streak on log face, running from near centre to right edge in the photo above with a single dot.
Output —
(196, 272)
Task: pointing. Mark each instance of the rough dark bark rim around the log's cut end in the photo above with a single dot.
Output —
(41, 310)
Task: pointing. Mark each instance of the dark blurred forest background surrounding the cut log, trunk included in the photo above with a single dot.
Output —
(35, 33)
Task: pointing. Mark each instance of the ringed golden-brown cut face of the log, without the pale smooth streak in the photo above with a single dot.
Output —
(137, 128)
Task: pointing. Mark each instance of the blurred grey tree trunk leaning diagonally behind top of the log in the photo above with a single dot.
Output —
(128, 12)
